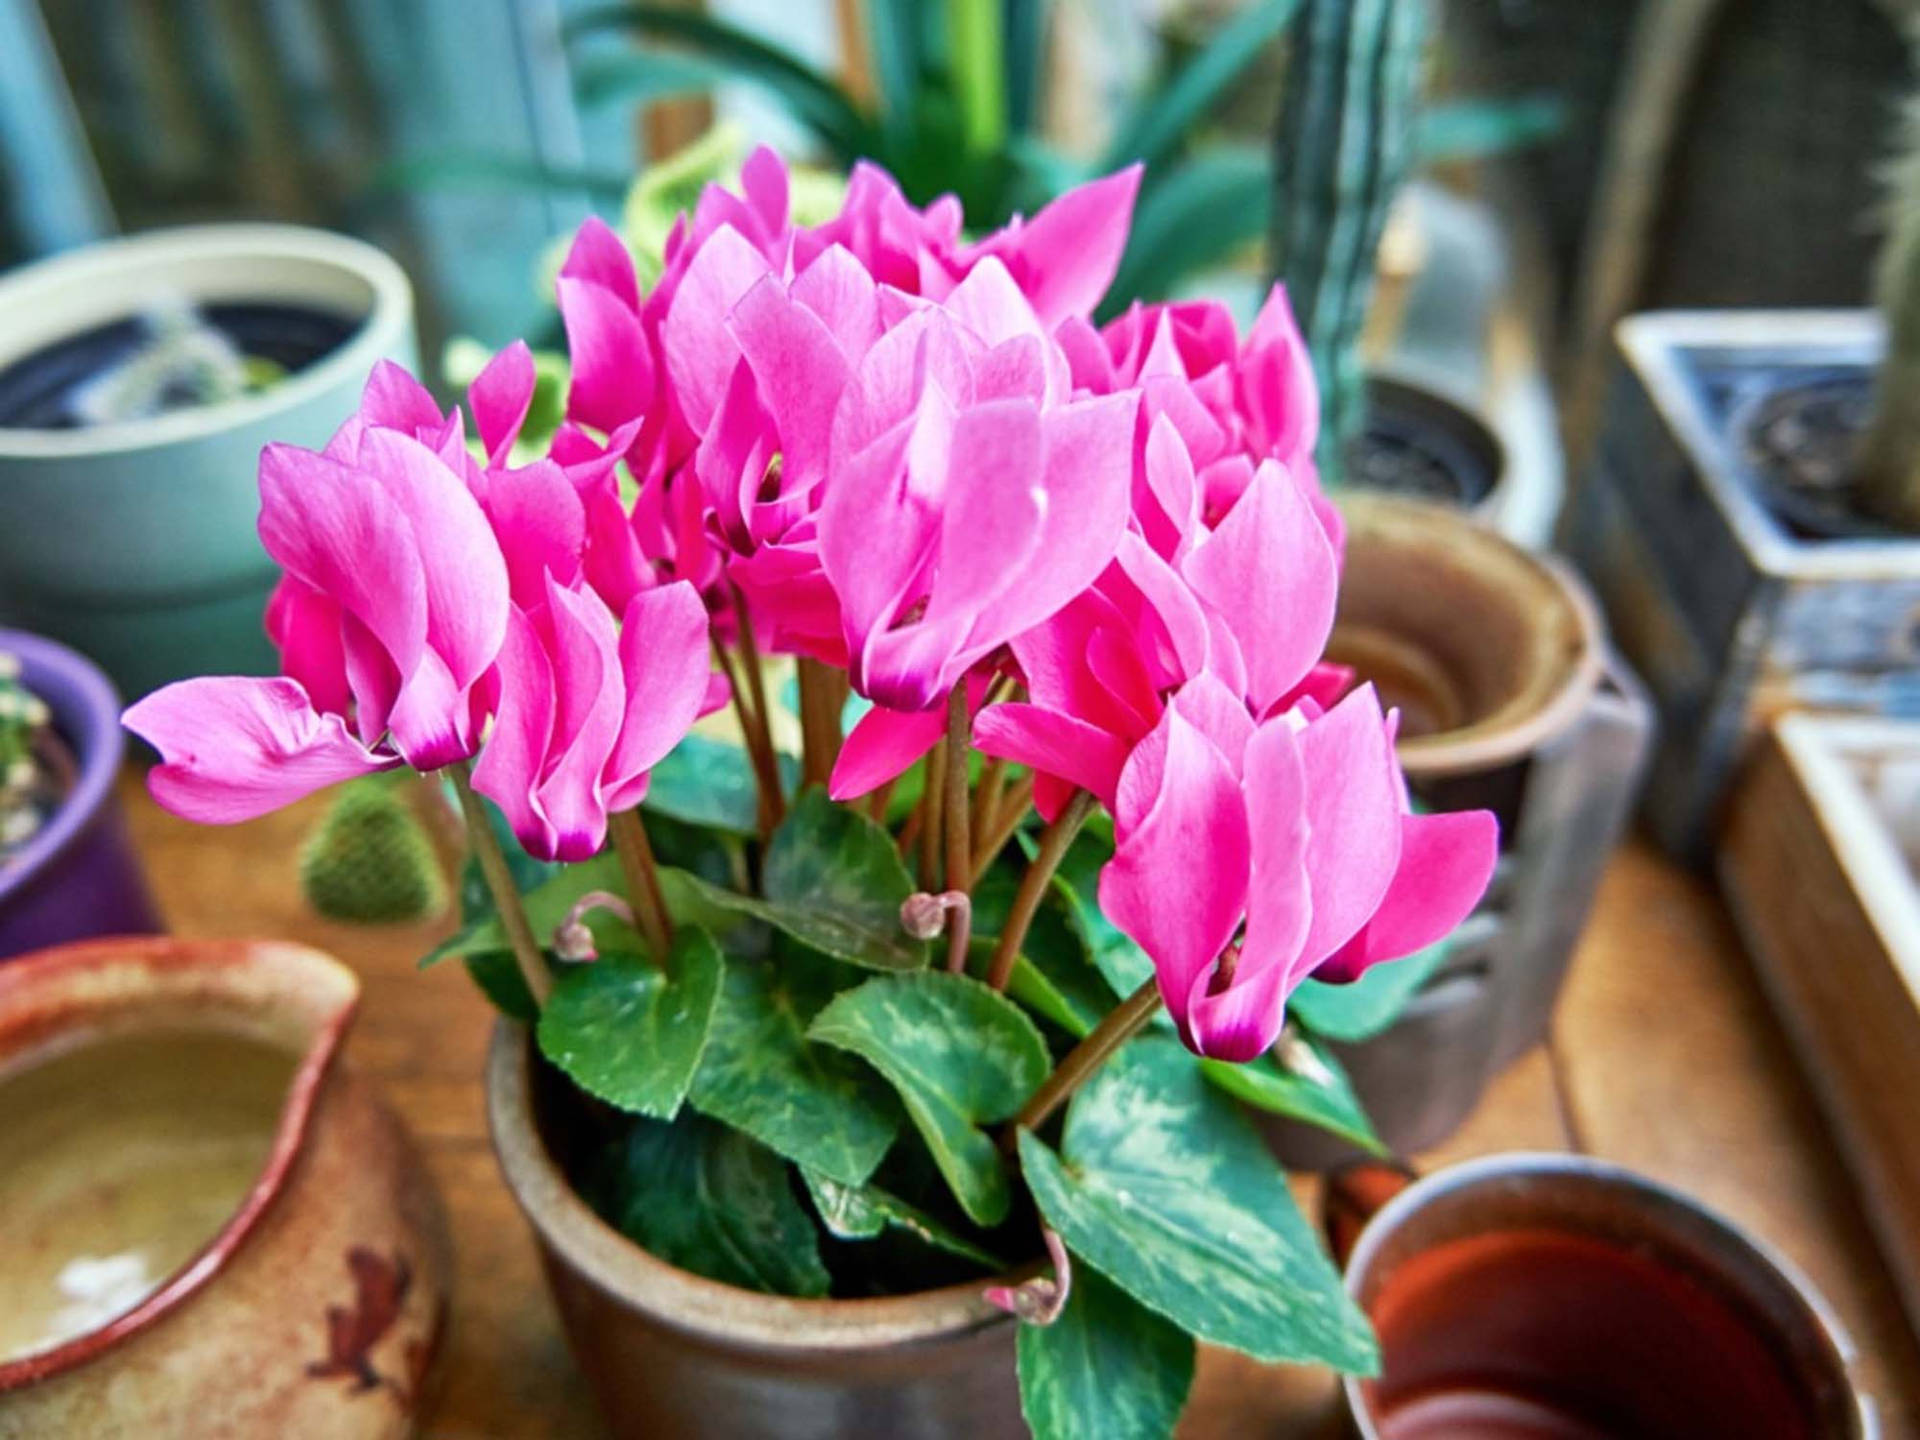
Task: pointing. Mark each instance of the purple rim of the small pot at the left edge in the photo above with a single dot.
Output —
(87, 713)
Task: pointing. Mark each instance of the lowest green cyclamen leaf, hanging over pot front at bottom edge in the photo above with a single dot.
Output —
(1107, 1370)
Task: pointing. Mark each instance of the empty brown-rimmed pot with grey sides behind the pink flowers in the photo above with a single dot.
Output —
(1508, 700)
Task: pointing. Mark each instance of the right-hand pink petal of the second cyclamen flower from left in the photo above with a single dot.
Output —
(665, 661)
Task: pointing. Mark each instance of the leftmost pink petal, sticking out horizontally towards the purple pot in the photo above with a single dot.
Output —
(241, 748)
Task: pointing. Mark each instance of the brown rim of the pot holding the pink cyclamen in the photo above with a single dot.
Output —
(692, 1305)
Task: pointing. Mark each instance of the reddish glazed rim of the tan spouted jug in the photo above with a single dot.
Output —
(47, 971)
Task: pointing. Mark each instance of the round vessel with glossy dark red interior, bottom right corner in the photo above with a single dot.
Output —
(1566, 1297)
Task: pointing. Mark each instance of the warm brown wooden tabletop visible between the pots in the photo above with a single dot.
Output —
(1666, 1059)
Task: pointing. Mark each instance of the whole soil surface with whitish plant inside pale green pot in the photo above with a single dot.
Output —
(145, 366)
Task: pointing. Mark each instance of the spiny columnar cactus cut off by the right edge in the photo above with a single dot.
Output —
(1890, 454)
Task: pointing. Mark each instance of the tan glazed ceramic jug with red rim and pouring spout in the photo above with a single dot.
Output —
(237, 1237)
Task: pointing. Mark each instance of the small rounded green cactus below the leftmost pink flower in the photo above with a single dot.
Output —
(372, 861)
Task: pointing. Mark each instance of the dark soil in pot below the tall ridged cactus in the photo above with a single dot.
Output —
(1420, 446)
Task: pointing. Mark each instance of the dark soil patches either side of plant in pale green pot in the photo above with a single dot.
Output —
(37, 391)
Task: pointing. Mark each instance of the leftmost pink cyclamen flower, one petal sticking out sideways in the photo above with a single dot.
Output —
(389, 619)
